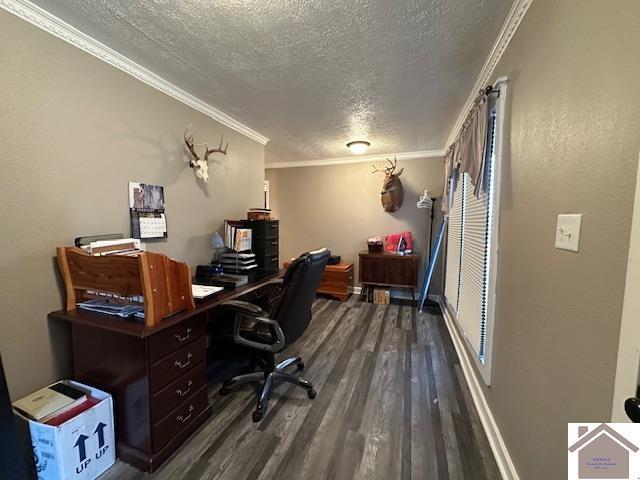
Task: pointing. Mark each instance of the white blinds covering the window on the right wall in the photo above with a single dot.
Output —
(468, 242)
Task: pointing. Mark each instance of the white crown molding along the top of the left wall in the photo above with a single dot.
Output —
(57, 27)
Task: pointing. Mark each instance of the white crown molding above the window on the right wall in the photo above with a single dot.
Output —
(508, 30)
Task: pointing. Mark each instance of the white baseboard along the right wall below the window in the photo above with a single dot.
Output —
(500, 451)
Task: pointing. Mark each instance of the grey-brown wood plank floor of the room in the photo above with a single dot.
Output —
(392, 404)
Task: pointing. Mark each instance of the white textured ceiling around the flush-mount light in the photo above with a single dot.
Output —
(309, 74)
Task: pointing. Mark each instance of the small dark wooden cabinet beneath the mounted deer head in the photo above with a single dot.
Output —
(388, 269)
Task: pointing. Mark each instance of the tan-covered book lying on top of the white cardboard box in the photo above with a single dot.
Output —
(51, 400)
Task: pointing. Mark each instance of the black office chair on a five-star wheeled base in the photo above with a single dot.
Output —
(266, 333)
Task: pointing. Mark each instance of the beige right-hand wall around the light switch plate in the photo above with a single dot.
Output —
(572, 147)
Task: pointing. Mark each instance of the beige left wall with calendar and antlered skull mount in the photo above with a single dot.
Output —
(73, 132)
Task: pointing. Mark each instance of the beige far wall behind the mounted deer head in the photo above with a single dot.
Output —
(338, 206)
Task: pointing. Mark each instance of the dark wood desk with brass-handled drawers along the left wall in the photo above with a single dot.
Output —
(157, 375)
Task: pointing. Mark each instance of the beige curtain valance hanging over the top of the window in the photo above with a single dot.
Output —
(467, 153)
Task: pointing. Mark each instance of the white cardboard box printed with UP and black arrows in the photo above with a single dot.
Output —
(82, 448)
